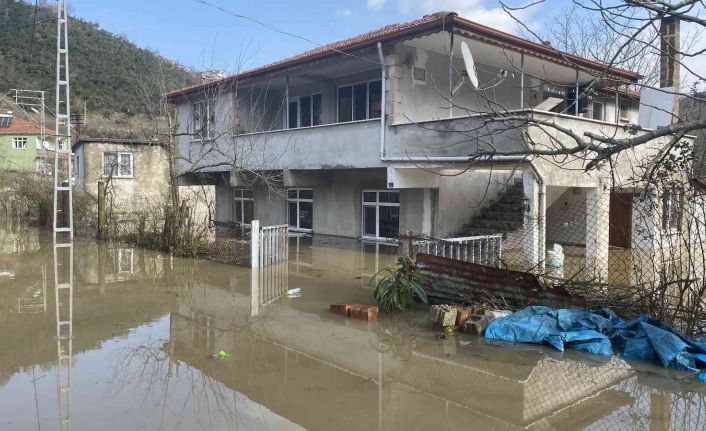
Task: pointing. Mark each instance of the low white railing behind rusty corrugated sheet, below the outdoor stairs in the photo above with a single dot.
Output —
(483, 250)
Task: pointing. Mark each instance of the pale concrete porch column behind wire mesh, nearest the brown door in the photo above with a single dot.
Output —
(597, 230)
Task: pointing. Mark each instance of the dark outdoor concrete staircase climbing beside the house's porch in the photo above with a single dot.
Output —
(503, 215)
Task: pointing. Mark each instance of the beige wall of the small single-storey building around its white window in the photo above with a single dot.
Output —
(149, 183)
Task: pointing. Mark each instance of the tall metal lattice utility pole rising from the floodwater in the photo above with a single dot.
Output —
(63, 214)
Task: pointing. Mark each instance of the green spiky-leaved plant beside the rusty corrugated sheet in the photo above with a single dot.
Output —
(400, 284)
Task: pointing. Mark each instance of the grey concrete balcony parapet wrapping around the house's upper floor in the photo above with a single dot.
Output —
(357, 144)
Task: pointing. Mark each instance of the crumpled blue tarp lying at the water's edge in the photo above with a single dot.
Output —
(602, 332)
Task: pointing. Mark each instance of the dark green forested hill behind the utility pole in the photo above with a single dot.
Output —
(108, 73)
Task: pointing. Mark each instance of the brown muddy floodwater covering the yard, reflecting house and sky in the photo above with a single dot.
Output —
(130, 345)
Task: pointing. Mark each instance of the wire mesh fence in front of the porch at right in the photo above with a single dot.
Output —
(637, 251)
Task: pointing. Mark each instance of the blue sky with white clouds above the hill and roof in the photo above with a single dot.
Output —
(198, 35)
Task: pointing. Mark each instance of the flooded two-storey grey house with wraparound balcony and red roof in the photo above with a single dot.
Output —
(370, 137)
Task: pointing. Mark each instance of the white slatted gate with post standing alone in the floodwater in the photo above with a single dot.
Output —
(269, 244)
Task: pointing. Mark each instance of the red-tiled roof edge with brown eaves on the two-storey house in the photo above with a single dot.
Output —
(435, 21)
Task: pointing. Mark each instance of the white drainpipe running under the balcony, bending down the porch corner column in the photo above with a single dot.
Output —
(542, 194)
